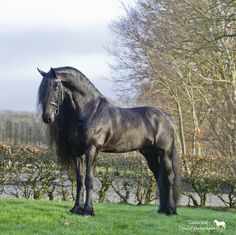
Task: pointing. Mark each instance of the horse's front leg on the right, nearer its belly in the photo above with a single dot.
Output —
(90, 158)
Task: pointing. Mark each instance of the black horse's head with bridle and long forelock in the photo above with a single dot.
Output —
(50, 95)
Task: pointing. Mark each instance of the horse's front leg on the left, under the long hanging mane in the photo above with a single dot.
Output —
(79, 203)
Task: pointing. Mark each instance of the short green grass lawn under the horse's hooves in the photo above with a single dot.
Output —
(19, 216)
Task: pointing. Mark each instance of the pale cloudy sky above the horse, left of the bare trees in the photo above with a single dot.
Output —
(53, 33)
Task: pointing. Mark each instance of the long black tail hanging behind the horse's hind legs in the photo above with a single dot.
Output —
(177, 184)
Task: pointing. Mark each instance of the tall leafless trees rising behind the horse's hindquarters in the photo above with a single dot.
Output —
(180, 55)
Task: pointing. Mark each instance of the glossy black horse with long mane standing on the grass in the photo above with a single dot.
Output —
(82, 123)
